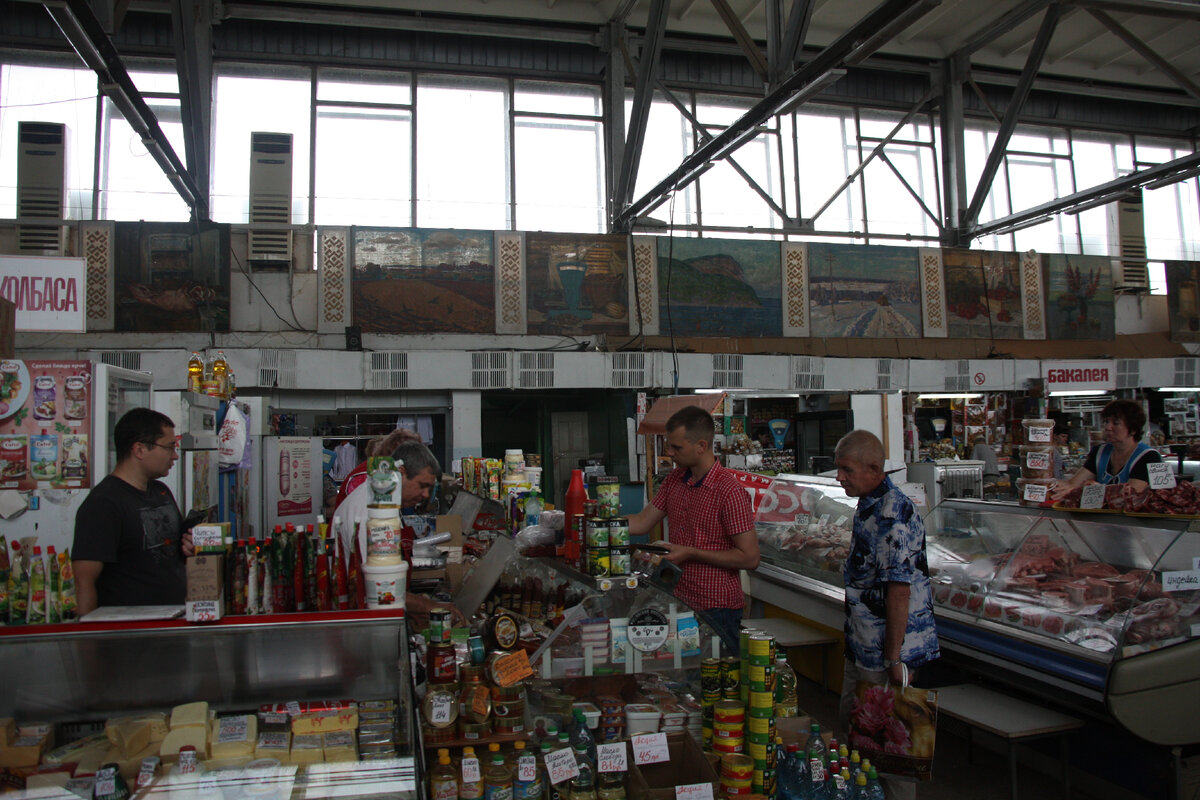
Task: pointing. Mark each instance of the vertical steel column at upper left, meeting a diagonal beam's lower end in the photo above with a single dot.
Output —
(193, 31)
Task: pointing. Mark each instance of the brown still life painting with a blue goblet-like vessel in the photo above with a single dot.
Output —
(578, 285)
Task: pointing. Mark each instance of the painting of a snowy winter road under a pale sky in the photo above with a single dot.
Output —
(865, 291)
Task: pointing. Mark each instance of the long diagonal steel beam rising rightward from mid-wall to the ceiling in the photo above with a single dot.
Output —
(799, 88)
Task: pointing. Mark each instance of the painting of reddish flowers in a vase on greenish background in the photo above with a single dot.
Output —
(1079, 298)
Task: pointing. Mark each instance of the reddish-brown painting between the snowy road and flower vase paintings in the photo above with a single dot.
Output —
(983, 294)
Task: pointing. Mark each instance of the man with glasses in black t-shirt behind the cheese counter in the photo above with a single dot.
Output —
(129, 539)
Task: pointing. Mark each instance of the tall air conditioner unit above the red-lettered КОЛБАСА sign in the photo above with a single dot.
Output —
(41, 187)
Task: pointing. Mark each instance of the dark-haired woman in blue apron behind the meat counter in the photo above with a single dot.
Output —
(1123, 459)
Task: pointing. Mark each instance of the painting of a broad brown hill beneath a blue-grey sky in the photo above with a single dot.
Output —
(424, 281)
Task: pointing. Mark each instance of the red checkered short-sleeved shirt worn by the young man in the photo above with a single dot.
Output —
(707, 515)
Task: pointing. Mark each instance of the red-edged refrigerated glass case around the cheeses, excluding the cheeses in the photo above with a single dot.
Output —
(79, 676)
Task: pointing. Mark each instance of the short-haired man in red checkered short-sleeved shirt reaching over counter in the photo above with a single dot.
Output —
(711, 524)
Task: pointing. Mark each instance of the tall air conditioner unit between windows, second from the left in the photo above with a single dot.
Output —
(271, 200)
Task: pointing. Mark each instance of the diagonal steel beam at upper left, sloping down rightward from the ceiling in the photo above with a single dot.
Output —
(83, 32)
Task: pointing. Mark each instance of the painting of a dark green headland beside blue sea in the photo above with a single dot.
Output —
(719, 287)
